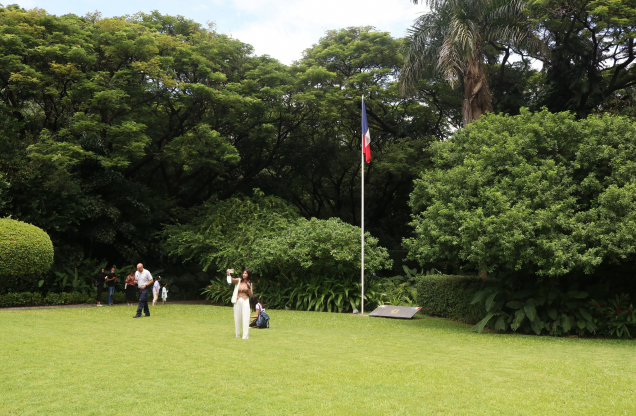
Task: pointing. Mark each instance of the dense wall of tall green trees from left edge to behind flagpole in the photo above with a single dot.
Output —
(114, 127)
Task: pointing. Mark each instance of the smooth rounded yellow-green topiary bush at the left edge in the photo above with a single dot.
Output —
(24, 248)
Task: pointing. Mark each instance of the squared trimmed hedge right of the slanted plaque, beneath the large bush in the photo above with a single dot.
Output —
(449, 296)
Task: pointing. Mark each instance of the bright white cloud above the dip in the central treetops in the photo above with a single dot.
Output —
(283, 29)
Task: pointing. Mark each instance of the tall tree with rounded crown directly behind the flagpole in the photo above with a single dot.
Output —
(320, 174)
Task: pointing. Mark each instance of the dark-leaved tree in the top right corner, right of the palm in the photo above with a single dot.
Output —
(592, 52)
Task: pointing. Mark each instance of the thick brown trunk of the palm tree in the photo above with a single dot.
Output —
(477, 98)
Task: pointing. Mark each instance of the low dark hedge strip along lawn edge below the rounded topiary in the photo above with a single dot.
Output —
(53, 299)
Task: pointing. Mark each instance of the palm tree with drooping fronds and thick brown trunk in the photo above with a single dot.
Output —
(450, 39)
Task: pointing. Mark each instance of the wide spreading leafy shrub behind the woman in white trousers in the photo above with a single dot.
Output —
(265, 234)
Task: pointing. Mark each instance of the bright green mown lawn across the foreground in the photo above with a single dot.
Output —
(184, 359)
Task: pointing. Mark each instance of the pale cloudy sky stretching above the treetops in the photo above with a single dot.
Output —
(279, 28)
